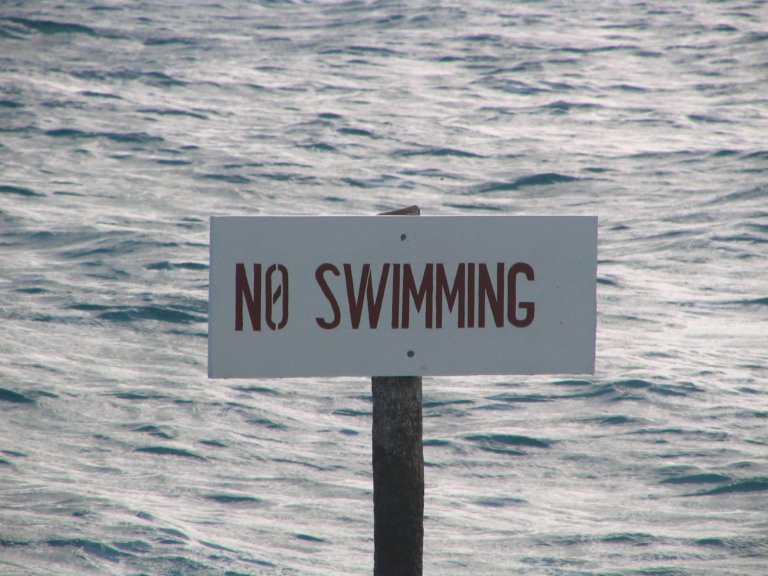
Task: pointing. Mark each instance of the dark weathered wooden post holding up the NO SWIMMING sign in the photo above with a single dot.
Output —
(398, 471)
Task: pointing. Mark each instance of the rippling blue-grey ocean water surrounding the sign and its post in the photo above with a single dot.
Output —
(125, 125)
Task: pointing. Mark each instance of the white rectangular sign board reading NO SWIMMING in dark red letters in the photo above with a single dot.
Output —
(401, 295)
